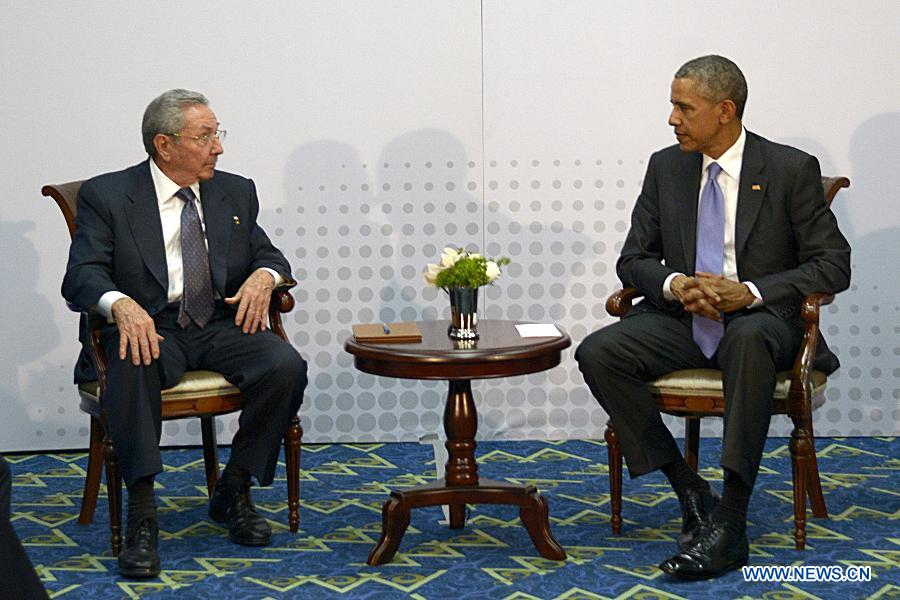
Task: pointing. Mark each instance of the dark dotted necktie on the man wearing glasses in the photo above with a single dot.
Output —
(197, 301)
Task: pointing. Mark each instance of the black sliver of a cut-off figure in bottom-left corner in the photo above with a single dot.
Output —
(17, 577)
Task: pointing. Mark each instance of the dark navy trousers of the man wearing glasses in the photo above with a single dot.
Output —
(269, 372)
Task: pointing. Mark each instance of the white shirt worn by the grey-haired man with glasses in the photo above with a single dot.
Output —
(170, 207)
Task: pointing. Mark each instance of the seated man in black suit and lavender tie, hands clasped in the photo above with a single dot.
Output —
(729, 233)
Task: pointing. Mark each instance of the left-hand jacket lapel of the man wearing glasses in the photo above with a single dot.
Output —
(146, 227)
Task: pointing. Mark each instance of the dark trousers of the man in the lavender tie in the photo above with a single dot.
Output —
(618, 360)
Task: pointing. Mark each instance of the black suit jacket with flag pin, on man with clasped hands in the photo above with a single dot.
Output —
(787, 241)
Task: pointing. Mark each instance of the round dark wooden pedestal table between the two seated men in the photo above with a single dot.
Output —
(499, 352)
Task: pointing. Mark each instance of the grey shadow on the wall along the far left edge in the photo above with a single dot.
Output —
(26, 320)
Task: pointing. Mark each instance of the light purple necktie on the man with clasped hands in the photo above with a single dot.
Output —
(710, 254)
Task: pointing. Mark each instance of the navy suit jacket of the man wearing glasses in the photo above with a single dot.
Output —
(119, 245)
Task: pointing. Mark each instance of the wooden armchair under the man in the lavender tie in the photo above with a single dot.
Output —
(697, 393)
